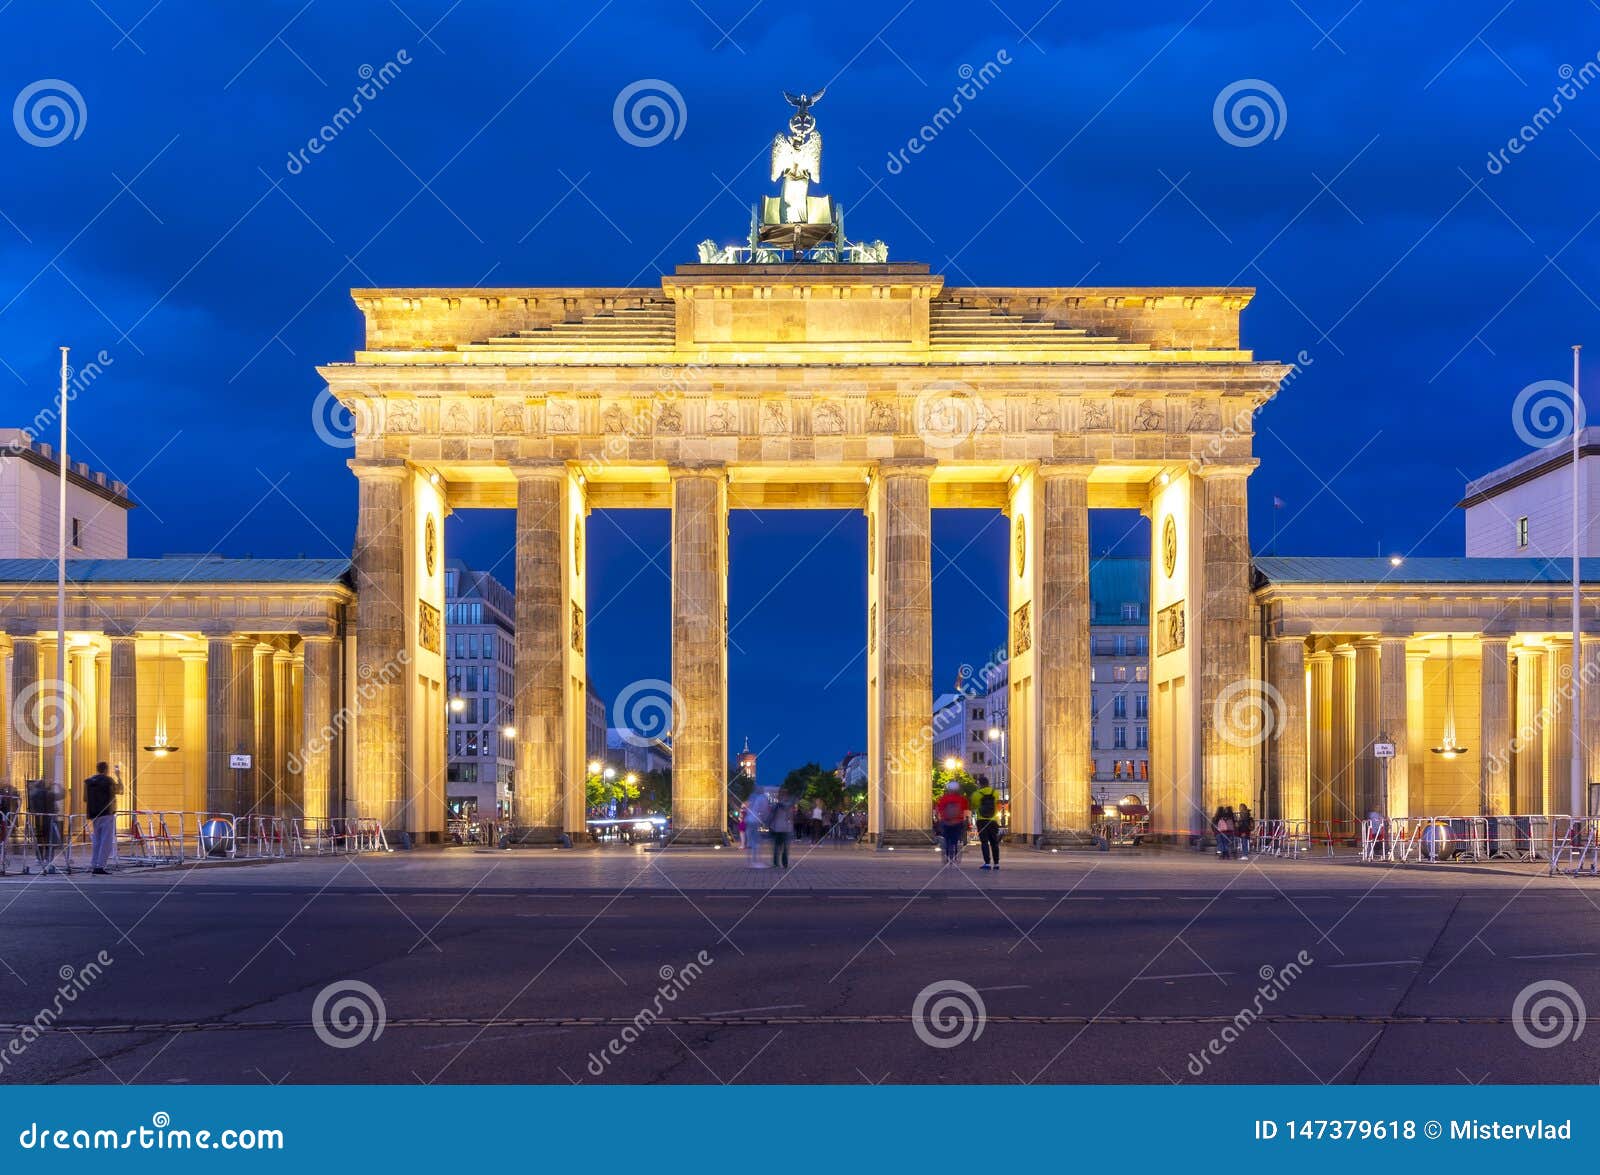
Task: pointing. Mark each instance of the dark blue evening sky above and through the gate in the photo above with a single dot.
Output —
(1423, 289)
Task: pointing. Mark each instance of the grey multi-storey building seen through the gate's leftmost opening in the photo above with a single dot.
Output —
(481, 676)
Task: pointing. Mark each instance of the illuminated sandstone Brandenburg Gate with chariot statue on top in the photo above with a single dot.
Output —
(804, 372)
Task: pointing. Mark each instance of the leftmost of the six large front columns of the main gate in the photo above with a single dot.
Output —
(382, 641)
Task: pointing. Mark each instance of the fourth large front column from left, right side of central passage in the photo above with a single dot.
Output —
(906, 664)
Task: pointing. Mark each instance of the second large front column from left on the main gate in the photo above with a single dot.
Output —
(543, 723)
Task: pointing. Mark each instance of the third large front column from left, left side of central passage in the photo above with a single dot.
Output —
(700, 656)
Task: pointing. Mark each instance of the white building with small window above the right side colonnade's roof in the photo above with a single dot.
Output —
(1526, 508)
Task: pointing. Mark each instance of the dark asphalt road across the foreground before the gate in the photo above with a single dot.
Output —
(481, 981)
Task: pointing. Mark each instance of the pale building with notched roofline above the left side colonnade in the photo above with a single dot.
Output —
(30, 494)
